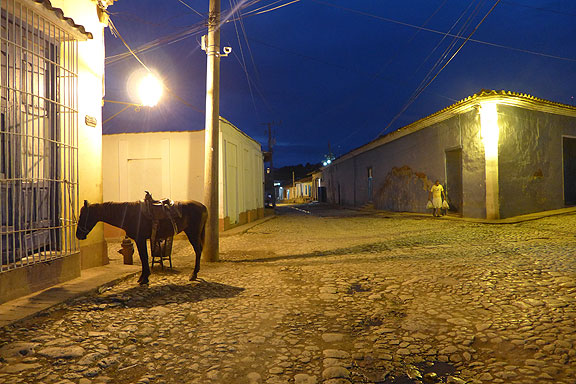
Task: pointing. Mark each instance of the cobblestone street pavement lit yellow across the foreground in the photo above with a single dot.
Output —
(331, 296)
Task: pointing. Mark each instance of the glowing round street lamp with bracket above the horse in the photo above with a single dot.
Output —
(149, 90)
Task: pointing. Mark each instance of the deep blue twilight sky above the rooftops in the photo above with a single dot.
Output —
(337, 73)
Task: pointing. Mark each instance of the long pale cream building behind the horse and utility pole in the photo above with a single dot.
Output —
(171, 164)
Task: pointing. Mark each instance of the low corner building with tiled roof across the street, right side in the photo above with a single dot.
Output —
(498, 154)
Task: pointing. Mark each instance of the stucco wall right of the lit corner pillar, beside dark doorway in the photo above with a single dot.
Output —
(530, 160)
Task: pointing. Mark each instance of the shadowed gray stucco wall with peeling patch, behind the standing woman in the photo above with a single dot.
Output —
(405, 169)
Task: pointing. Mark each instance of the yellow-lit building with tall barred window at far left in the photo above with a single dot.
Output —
(52, 66)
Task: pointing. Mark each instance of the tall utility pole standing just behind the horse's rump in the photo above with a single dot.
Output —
(212, 133)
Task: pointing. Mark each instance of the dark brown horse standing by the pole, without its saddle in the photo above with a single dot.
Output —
(131, 218)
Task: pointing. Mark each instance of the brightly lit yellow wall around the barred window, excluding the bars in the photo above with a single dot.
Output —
(93, 251)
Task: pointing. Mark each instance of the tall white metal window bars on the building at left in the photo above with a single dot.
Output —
(38, 138)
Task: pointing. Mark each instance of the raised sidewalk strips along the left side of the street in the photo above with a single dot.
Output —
(90, 280)
